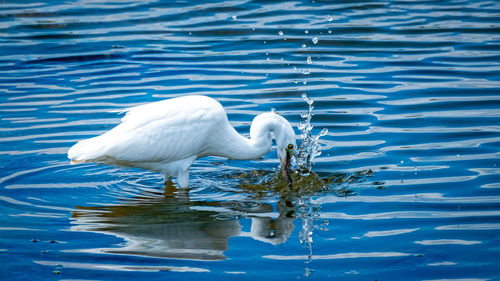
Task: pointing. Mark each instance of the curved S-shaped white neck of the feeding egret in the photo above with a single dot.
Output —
(260, 142)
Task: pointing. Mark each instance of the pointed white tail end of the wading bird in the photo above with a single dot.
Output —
(87, 150)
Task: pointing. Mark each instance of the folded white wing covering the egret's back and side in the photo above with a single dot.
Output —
(163, 131)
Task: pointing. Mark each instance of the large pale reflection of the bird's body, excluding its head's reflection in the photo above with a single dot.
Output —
(160, 226)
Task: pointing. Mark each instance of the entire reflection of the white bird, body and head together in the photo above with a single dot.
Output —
(173, 226)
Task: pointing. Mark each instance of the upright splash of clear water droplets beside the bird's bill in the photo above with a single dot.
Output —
(309, 147)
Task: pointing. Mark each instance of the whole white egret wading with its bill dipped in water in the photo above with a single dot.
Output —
(167, 136)
